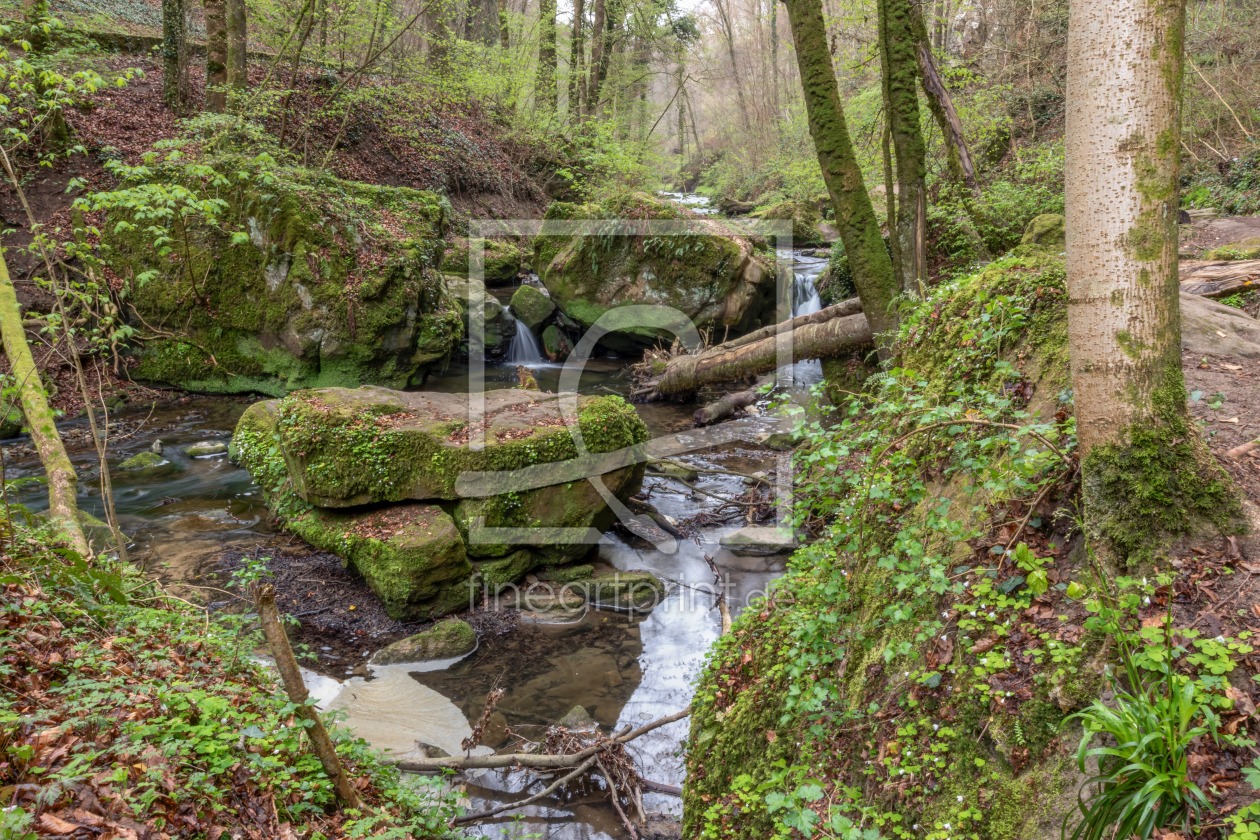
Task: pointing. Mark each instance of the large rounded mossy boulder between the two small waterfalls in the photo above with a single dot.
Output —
(710, 273)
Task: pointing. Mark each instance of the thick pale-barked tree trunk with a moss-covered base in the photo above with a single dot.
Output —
(1147, 473)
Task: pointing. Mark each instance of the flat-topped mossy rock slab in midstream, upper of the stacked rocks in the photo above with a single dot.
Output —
(342, 448)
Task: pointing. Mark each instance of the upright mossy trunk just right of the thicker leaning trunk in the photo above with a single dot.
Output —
(902, 99)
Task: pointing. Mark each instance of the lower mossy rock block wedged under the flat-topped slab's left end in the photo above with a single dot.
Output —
(409, 555)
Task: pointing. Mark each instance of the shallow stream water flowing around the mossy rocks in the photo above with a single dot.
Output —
(626, 671)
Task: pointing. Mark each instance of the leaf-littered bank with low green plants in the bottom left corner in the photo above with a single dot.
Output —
(128, 711)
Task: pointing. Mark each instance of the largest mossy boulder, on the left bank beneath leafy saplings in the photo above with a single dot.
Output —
(299, 280)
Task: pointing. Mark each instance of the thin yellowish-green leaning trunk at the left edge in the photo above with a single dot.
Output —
(62, 482)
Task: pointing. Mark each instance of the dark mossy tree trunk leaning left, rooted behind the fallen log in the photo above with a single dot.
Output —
(855, 217)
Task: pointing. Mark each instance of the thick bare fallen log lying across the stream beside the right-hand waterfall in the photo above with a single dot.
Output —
(811, 341)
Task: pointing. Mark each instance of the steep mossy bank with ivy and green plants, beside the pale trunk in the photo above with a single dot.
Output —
(868, 673)
